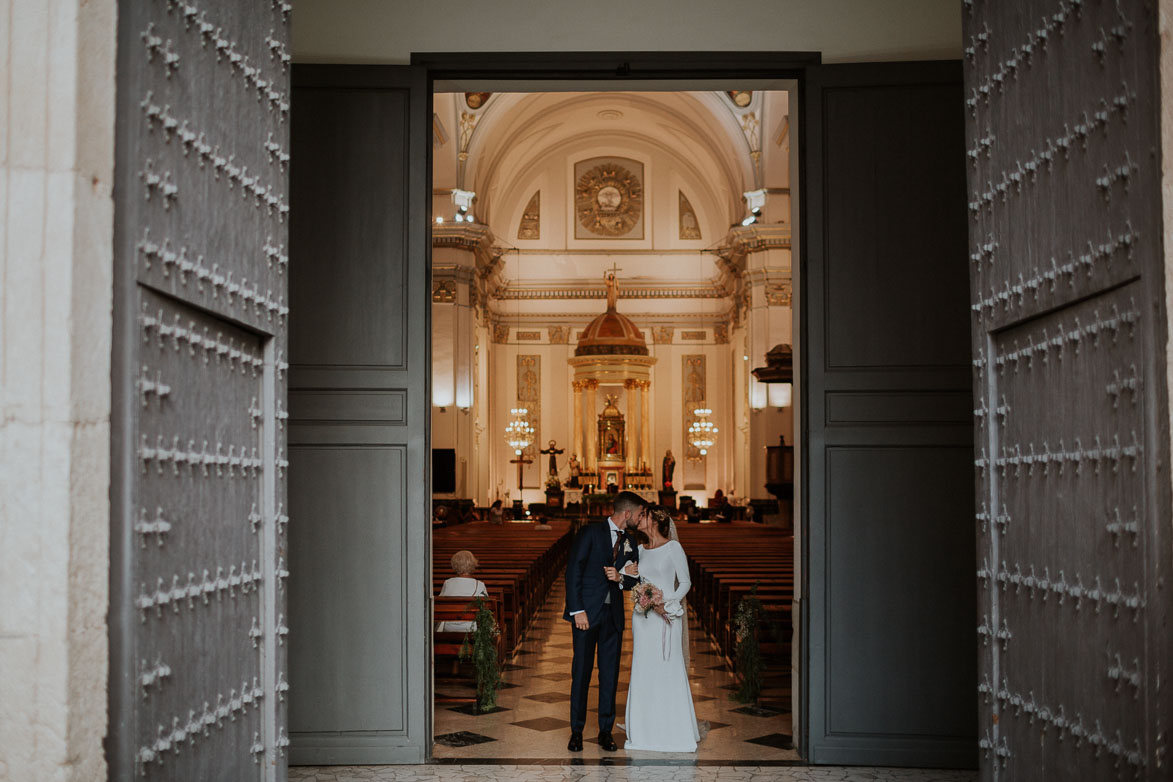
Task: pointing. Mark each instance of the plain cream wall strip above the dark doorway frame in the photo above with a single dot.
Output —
(378, 31)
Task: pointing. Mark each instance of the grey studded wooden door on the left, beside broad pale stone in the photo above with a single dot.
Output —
(198, 640)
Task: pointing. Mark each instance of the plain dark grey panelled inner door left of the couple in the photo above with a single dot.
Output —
(360, 403)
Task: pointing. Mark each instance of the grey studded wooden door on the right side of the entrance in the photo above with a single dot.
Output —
(1072, 433)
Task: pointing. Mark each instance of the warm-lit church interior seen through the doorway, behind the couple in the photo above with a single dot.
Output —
(613, 310)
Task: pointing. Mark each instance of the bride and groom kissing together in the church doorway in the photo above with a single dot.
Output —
(635, 550)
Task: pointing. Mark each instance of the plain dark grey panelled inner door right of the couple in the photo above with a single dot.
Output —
(891, 654)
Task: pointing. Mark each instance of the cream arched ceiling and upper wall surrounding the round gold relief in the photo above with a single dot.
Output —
(507, 147)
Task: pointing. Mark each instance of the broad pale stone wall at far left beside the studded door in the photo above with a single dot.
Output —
(57, 234)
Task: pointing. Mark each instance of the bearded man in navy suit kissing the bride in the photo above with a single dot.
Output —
(595, 608)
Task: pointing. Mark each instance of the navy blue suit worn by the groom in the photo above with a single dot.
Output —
(587, 590)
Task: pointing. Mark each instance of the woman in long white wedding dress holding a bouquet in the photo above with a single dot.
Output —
(661, 716)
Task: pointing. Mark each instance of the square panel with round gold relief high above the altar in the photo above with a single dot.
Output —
(609, 199)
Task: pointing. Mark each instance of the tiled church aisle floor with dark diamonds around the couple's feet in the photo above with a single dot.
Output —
(533, 722)
